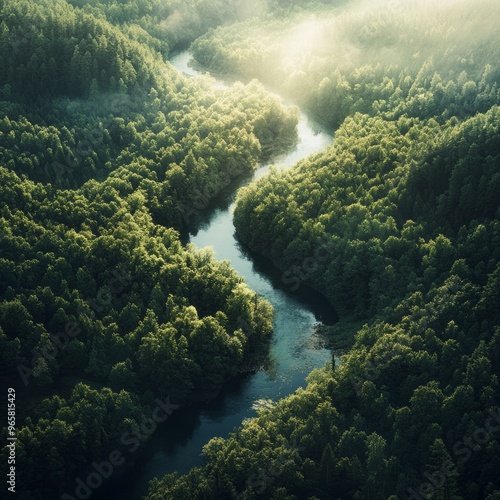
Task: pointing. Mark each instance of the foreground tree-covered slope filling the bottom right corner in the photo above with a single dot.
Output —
(394, 413)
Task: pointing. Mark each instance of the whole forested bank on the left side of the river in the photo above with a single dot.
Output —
(106, 151)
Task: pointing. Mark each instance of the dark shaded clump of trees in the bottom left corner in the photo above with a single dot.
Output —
(77, 431)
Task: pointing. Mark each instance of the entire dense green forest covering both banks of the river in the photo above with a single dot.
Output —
(107, 153)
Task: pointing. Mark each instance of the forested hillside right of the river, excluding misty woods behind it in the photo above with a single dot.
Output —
(420, 263)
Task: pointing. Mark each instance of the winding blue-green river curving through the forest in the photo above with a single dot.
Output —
(295, 348)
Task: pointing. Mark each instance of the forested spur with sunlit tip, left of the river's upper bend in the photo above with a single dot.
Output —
(173, 149)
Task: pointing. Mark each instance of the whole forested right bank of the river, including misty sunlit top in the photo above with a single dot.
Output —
(397, 224)
